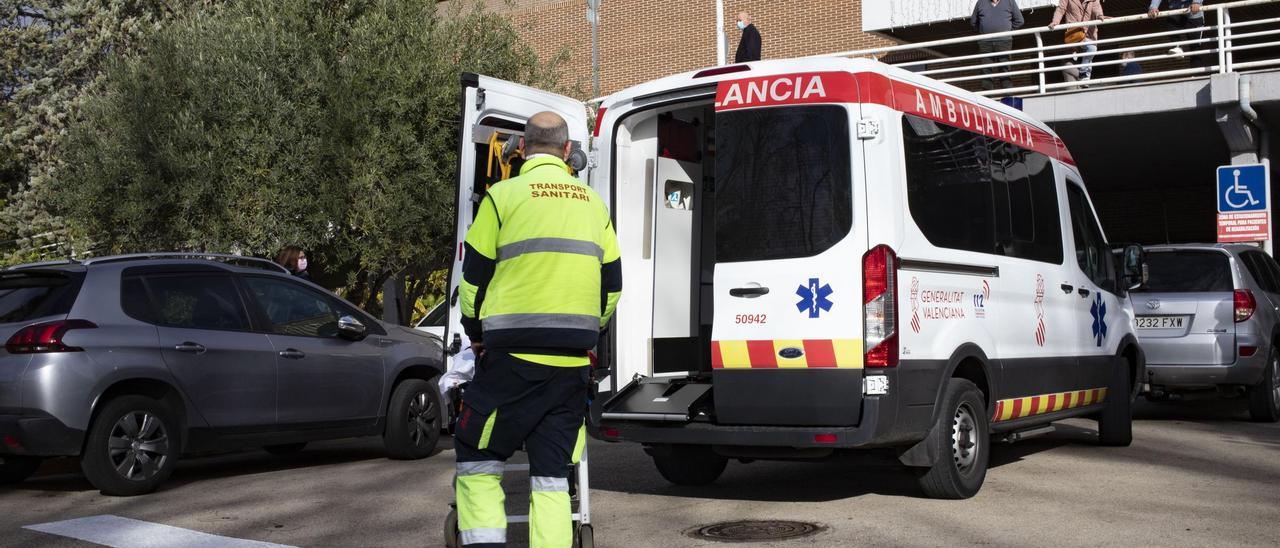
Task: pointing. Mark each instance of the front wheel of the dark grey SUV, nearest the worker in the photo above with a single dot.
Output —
(414, 421)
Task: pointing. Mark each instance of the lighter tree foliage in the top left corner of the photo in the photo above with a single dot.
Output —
(52, 58)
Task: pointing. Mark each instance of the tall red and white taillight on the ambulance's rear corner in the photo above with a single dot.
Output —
(880, 308)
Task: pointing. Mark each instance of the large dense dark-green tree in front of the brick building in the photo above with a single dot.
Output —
(250, 126)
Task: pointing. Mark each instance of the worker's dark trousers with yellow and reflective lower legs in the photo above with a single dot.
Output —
(516, 404)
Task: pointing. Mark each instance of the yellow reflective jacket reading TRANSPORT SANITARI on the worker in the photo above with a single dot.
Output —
(542, 272)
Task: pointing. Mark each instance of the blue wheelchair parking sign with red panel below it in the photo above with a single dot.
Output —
(1244, 205)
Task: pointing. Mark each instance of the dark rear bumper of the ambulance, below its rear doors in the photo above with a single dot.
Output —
(879, 428)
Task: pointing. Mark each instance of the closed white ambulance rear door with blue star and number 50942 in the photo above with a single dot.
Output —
(790, 243)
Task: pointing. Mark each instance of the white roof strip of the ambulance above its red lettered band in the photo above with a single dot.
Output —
(662, 88)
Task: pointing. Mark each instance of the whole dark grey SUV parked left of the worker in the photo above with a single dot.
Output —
(131, 362)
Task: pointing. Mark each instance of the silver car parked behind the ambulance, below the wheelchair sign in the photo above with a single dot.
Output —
(1209, 317)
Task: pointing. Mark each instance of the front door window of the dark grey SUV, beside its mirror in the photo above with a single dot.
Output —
(292, 309)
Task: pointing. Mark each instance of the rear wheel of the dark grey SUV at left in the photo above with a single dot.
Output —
(132, 446)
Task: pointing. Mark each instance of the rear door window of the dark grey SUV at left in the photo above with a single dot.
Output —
(198, 303)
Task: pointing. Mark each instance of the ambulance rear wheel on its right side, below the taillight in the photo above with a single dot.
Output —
(964, 437)
